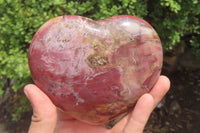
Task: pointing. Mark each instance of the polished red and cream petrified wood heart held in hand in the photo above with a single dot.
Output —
(95, 70)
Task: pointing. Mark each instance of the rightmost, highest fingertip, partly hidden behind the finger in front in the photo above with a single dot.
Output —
(160, 89)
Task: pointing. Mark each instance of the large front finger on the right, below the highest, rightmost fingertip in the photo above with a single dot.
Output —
(139, 117)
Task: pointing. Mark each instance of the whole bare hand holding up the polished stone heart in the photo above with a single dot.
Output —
(47, 119)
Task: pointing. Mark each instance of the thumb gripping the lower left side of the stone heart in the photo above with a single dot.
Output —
(44, 112)
